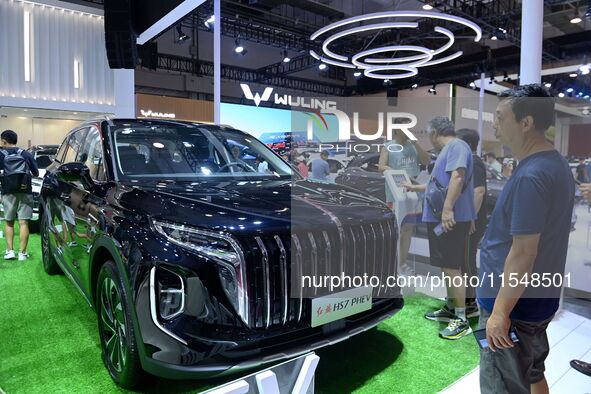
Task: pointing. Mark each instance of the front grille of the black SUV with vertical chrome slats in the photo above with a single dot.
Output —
(275, 264)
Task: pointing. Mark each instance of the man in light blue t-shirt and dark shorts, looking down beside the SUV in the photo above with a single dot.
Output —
(453, 171)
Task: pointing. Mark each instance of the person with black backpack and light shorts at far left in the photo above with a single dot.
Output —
(16, 201)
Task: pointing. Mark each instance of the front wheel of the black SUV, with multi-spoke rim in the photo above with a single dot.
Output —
(117, 336)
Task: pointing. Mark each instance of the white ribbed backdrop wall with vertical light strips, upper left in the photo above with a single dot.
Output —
(59, 37)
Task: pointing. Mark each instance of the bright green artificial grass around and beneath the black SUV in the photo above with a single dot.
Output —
(49, 344)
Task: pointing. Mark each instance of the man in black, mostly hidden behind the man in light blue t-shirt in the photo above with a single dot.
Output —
(472, 138)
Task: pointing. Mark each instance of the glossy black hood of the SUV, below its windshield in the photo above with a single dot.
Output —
(251, 206)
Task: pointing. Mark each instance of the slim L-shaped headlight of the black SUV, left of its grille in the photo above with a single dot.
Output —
(222, 249)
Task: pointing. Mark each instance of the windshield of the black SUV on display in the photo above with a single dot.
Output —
(187, 152)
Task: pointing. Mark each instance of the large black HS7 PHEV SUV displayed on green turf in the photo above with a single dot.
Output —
(187, 249)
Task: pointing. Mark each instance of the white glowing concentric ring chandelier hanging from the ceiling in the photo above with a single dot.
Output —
(394, 67)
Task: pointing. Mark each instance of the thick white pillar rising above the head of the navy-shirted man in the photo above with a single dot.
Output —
(532, 23)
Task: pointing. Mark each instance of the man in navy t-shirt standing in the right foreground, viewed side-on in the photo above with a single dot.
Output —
(527, 238)
